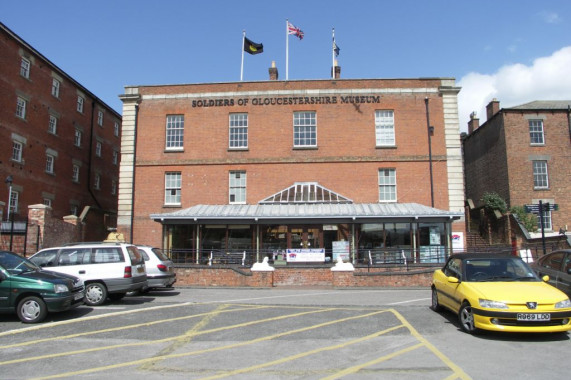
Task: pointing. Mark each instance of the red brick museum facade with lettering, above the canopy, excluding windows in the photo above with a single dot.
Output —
(345, 160)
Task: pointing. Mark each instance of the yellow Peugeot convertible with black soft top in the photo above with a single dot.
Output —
(499, 293)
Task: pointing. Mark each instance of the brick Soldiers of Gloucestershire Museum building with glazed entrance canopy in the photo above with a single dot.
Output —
(299, 170)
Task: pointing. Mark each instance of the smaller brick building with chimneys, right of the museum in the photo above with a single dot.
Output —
(522, 153)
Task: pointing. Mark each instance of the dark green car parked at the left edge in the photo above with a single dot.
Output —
(32, 292)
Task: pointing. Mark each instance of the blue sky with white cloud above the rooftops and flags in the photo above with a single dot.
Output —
(515, 51)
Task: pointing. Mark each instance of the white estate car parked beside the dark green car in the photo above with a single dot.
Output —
(107, 269)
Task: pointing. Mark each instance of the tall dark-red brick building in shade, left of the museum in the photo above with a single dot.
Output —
(60, 144)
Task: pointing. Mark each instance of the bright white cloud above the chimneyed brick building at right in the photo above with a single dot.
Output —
(547, 78)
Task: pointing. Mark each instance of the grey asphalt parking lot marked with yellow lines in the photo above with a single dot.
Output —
(278, 333)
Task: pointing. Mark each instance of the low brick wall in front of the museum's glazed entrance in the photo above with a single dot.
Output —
(220, 276)
